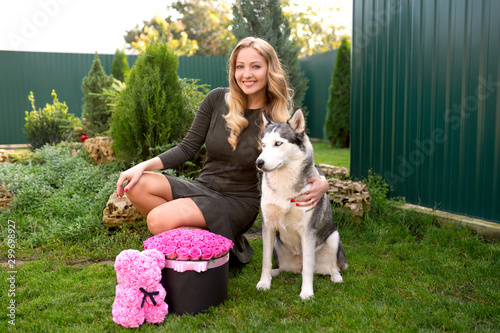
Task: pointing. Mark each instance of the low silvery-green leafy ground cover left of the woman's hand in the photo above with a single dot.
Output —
(56, 196)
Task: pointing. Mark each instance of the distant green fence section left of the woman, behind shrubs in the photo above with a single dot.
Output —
(40, 72)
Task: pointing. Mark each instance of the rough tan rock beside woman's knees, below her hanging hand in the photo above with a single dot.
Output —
(119, 211)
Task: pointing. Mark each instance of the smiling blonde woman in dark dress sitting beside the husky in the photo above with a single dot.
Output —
(225, 198)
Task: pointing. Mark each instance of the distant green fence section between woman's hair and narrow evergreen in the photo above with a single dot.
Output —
(318, 69)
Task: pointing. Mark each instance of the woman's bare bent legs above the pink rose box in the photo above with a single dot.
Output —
(152, 196)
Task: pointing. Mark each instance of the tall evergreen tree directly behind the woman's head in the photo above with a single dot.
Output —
(265, 19)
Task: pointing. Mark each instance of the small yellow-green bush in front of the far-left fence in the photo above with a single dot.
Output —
(51, 124)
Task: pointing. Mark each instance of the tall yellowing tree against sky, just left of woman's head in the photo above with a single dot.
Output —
(207, 22)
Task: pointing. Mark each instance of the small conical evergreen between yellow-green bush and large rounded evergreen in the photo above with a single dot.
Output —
(95, 111)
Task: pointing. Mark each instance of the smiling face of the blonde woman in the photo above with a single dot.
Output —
(251, 76)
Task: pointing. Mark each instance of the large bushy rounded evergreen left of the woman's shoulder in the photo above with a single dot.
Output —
(150, 110)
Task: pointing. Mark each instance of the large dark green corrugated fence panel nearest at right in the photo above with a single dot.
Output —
(425, 101)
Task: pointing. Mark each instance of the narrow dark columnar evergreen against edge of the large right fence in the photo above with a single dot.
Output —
(337, 123)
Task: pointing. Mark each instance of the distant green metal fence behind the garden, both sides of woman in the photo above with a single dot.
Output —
(22, 72)
